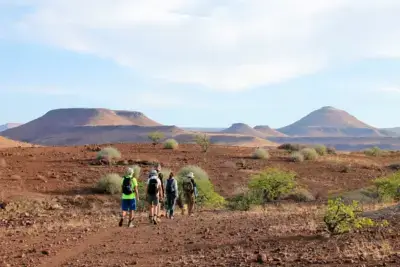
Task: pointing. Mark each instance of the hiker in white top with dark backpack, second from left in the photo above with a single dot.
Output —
(154, 194)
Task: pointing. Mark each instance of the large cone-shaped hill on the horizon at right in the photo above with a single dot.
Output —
(329, 121)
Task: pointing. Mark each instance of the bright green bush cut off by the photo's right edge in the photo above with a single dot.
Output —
(388, 187)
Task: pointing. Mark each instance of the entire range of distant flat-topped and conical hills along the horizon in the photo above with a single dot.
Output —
(78, 126)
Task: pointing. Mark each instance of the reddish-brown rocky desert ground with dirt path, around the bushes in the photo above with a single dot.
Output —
(51, 216)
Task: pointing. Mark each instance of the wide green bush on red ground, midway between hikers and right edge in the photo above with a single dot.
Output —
(271, 184)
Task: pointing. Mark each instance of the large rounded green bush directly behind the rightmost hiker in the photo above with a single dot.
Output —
(207, 197)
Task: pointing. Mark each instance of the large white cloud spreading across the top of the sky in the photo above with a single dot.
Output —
(229, 45)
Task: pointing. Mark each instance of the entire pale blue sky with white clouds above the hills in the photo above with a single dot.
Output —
(202, 63)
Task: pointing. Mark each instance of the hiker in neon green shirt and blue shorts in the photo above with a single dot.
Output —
(130, 196)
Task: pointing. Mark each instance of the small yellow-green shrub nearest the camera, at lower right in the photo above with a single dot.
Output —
(341, 218)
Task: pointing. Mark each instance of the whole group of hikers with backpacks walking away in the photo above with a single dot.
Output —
(159, 195)
